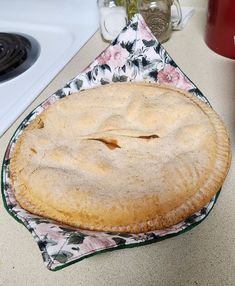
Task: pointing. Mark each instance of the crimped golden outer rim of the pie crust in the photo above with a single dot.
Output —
(192, 205)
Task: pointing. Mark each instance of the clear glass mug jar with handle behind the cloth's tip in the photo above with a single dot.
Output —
(157, 15)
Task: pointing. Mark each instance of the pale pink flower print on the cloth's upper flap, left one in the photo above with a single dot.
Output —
(114, 55)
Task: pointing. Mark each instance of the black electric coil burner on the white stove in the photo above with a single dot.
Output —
(17, 53)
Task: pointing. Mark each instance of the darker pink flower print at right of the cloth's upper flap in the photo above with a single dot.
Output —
(171, 75)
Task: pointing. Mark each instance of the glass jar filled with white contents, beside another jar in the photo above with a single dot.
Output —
(113, 18)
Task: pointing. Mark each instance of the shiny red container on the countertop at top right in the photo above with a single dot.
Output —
(220, 27)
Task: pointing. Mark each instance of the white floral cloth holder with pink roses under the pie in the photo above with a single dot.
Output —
(135, 55)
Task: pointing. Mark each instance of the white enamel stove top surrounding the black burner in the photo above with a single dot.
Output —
(60, 27)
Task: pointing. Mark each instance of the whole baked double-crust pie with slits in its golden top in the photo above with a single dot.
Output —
(124, 157)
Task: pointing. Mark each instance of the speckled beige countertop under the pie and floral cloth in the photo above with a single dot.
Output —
(203, 256)
